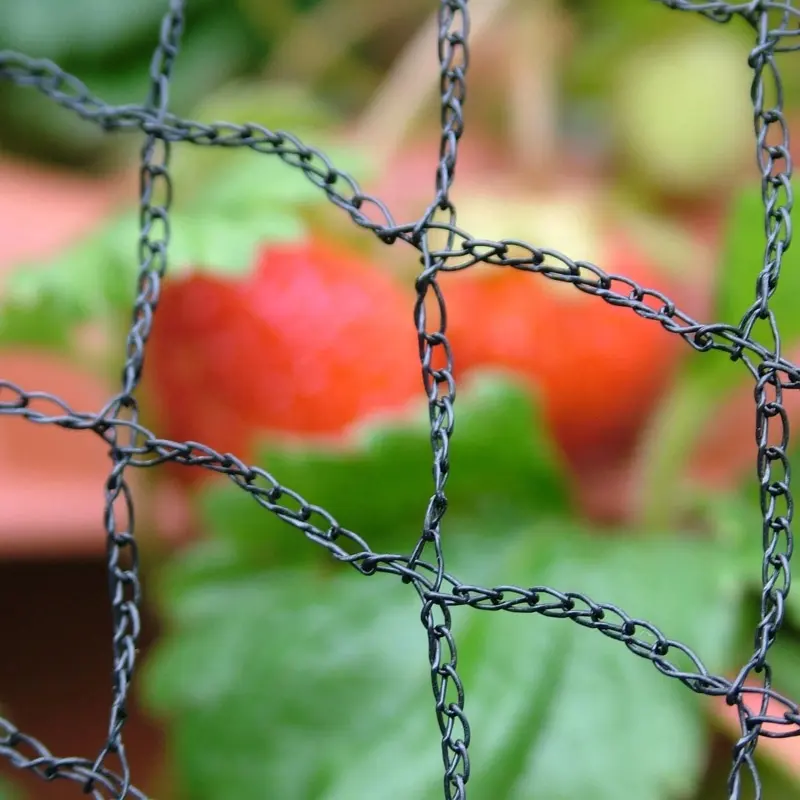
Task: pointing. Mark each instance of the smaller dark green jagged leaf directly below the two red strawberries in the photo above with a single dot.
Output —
(504, 467)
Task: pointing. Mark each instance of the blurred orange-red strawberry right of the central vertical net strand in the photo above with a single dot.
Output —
(598, 369)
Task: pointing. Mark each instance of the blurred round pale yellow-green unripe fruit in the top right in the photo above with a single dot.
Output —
(683, 112)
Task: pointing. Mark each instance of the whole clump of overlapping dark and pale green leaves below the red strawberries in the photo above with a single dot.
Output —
(532, 689)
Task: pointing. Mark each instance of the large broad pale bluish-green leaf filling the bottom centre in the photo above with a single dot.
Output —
(318, 686)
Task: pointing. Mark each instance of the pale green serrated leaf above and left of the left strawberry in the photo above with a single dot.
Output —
(217, 224)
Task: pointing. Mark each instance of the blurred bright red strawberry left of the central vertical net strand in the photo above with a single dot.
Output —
(314, 340)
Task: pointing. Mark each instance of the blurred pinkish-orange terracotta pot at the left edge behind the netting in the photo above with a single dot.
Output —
(52, 503)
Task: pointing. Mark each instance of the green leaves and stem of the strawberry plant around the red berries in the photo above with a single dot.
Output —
(276, 668)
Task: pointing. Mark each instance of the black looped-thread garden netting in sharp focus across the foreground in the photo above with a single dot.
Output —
(777, 30)
